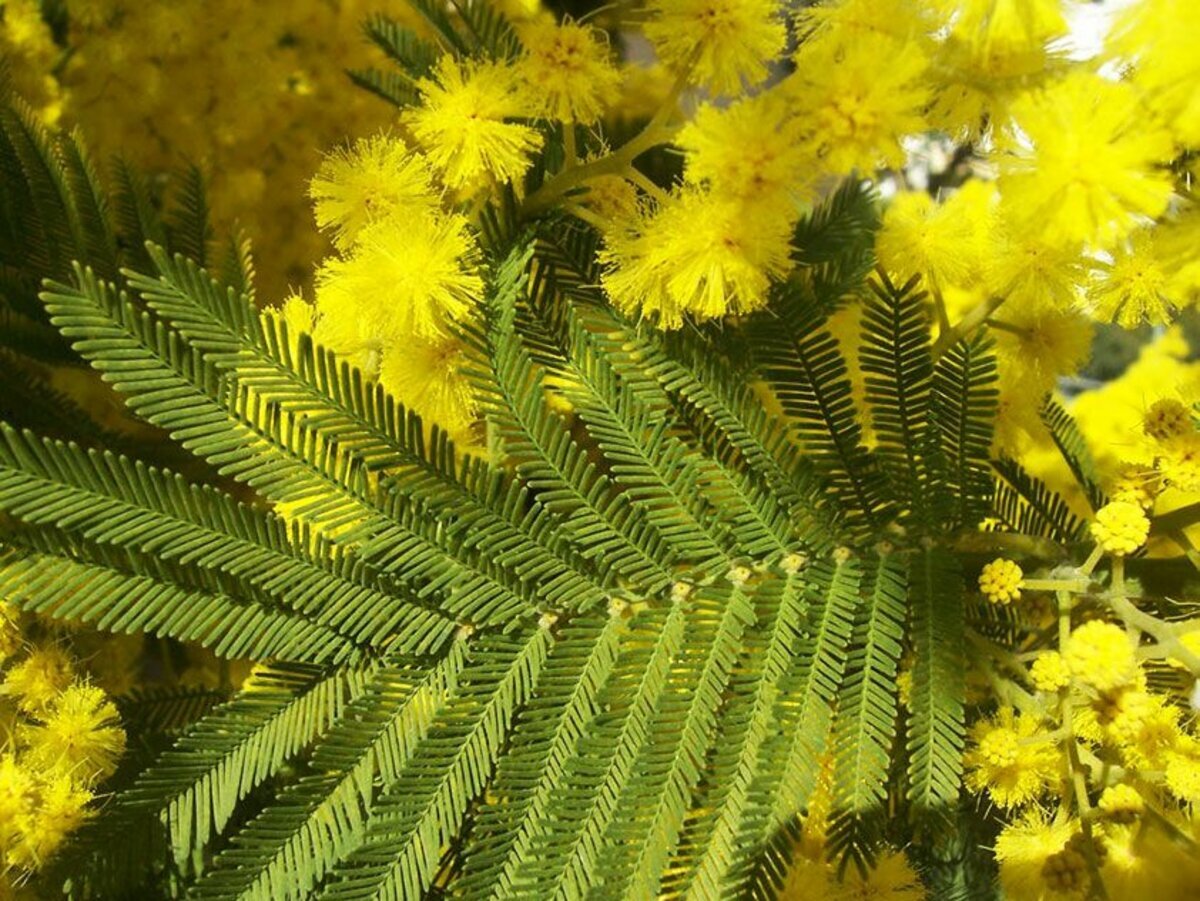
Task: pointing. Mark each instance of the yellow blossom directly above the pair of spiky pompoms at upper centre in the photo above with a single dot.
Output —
(749, 151)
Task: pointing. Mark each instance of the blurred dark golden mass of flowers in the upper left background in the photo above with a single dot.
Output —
(253, 93)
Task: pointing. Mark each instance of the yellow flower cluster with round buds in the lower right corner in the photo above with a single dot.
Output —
(1097, 741)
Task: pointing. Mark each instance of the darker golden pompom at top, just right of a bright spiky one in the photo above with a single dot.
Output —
(568, 71)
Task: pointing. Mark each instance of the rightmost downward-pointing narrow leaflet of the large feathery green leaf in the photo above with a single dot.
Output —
(939, 683)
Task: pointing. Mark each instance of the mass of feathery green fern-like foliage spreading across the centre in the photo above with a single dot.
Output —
(615, 660)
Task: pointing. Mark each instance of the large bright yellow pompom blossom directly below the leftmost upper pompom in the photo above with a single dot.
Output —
(404, 279)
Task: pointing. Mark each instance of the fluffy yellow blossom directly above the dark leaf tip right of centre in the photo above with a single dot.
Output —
(857, 111)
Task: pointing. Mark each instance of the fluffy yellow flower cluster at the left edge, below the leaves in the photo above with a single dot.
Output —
(63, 738)
